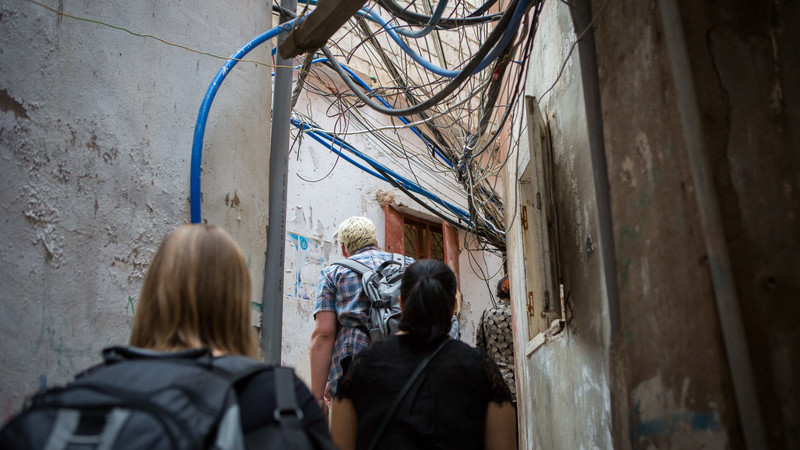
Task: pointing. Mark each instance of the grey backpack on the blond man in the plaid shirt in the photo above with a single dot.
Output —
(381, 286)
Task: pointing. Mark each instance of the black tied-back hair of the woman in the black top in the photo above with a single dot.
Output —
(428, 291)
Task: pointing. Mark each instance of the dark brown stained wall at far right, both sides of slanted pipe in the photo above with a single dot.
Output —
(676, 370)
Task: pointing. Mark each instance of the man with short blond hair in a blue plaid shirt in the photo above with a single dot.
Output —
(341, 311)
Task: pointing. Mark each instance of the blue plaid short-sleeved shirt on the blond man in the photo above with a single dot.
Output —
(339, 291)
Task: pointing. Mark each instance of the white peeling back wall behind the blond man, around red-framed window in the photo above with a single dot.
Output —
(323, 190)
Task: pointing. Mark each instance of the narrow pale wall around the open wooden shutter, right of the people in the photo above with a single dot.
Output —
(563, 386)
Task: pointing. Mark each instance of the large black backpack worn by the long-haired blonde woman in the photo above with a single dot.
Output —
(147, 400)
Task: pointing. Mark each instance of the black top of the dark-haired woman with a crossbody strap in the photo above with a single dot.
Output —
(446, 408)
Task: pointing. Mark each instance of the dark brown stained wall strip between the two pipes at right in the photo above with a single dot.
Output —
(676, 383)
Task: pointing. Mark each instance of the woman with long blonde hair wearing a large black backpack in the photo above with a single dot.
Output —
(189, 378)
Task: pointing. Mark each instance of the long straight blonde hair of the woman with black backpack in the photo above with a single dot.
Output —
(196, 294)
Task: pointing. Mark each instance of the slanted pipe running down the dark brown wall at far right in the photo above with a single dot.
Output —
(730, 316)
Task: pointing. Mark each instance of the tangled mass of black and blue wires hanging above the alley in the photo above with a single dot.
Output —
(460, 108)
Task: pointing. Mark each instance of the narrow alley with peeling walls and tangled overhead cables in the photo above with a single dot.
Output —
(631, 167)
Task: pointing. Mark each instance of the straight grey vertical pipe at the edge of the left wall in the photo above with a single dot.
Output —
(272, 297)
